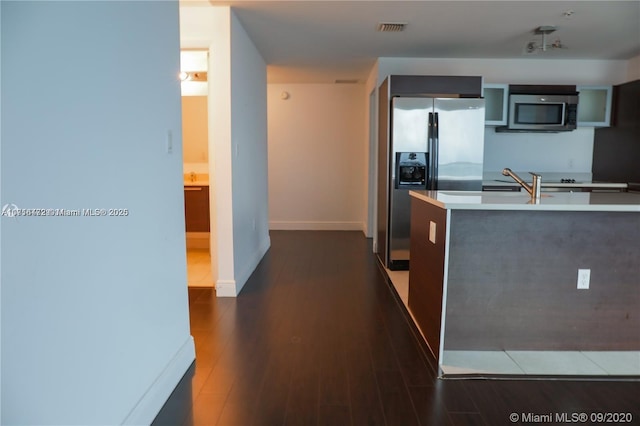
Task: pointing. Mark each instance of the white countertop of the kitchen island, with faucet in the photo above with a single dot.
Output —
(560, 201)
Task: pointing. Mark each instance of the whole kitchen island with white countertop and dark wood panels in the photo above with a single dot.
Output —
(495, 273)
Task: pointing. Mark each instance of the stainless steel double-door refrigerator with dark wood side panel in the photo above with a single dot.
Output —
(431, 143)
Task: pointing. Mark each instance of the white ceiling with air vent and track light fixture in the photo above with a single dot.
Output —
(321, 41)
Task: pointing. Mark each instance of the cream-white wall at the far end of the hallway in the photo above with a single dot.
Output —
(317, 156)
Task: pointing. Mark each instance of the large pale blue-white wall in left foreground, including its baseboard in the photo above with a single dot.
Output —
(95, 325)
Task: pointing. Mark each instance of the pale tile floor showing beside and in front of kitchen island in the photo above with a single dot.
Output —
(547, 363)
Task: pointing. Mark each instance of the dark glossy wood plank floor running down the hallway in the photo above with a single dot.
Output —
(318, 337)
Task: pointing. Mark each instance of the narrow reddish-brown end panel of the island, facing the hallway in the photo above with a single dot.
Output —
(426, 270)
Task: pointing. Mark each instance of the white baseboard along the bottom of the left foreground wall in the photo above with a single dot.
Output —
(149, 405)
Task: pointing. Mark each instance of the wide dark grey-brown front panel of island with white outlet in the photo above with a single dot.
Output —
(512, 282)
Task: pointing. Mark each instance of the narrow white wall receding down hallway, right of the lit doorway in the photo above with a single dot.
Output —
(249, 154)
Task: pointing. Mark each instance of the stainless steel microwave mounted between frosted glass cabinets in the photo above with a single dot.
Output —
(552, 113)
